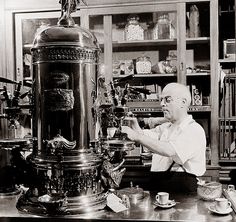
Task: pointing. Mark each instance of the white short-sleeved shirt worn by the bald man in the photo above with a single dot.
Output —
(189, 141)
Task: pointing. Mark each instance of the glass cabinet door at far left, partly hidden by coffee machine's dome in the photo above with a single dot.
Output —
(27, 26)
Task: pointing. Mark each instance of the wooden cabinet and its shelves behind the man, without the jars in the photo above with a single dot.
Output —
(111, 18)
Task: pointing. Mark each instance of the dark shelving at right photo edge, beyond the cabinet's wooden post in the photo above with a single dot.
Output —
(227, 101)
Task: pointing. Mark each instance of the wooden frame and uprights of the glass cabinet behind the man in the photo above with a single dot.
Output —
(108, 9)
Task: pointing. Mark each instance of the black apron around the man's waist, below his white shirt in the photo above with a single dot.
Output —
(171, 181)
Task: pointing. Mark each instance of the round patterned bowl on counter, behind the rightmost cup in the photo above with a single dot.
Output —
(209, 191)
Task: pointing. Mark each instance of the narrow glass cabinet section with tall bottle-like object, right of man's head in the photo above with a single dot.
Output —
(198, 53)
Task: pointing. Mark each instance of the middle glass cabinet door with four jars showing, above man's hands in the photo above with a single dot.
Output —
(144, 44)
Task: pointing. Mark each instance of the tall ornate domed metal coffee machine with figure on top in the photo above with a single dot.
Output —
(67, 176)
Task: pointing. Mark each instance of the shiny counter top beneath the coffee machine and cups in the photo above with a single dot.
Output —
(188, 208)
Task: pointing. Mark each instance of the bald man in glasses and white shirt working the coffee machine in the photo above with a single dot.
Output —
(178, 145)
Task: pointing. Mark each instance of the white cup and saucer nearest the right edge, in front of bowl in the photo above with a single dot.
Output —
(221, 206)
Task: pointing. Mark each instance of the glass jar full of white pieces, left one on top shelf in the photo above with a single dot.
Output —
(133, 30)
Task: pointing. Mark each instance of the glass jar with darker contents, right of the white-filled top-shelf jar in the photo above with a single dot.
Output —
(163, 28)
